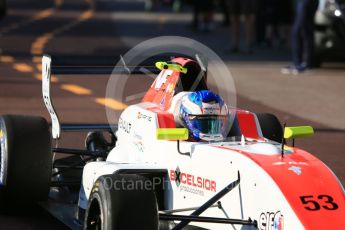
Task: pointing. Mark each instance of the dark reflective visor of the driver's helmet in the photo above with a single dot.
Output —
(208, 124)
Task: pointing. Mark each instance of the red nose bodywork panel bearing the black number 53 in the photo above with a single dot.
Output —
(316, 180)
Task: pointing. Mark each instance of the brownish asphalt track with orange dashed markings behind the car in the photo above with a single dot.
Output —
(69, 30)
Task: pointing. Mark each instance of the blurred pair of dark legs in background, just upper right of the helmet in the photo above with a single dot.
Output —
(247, 8)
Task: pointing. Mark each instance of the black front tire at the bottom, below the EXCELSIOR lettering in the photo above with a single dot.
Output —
(113, 206)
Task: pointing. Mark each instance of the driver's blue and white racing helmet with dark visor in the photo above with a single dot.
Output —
(205, 115)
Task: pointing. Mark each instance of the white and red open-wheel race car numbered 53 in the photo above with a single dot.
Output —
(150, 175)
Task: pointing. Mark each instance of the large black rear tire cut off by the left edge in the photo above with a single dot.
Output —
(26, 161)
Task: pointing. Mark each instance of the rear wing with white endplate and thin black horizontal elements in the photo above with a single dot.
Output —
(48, 69)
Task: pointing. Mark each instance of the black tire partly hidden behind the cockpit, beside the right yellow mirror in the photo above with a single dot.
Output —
(270, 126)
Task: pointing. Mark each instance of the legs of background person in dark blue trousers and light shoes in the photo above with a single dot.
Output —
(302, 40)
